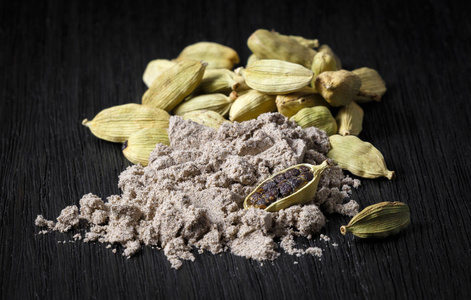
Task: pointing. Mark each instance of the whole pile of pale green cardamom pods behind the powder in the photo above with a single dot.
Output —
(293, 75)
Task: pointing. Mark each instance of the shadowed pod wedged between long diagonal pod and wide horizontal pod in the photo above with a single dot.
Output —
(219, 81)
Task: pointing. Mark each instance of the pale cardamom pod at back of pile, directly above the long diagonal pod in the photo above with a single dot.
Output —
(216, 55)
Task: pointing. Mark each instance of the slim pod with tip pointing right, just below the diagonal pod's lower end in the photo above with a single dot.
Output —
(219, 103)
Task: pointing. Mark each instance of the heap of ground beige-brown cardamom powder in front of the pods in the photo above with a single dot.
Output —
(191, 194)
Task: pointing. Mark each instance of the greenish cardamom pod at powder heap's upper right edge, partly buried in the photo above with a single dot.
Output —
(317, 116)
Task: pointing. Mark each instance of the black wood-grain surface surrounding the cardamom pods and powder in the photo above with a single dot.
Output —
(63, 61)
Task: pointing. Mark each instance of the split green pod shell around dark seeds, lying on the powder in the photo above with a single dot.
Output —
(301, 196)
